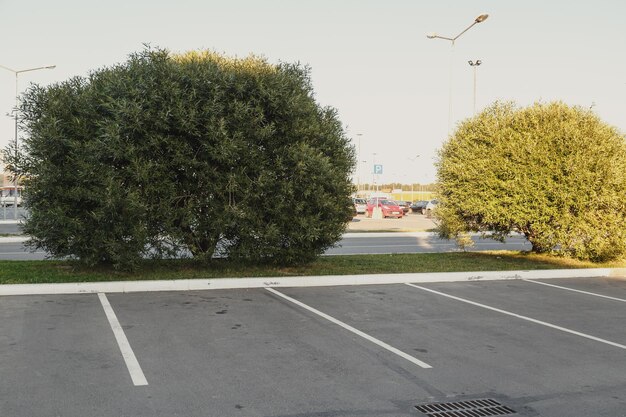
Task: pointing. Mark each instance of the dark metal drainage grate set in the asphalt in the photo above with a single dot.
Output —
(469, 408)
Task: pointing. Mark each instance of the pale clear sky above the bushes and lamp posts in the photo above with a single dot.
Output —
(371, 60)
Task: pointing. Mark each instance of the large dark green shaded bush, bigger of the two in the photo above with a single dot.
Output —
(198, 152)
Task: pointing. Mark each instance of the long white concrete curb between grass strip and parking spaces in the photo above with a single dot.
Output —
(312, 281)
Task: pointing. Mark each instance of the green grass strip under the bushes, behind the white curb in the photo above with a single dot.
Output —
(23, 272)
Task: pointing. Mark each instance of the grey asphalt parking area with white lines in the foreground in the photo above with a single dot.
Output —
(375, 350)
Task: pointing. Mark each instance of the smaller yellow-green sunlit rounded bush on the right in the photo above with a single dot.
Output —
(553, 172)
